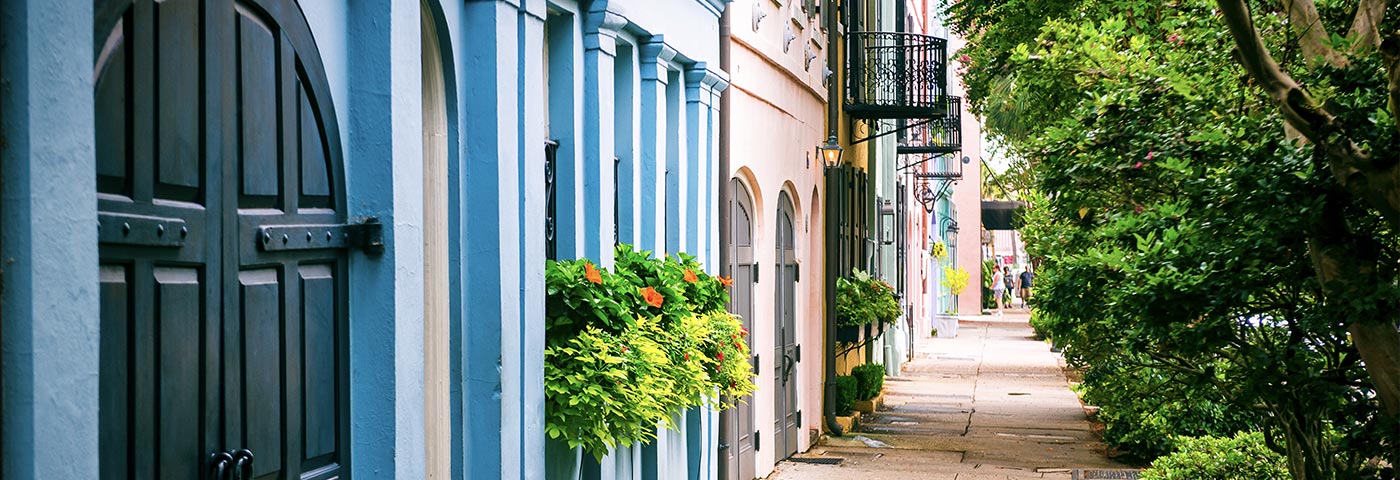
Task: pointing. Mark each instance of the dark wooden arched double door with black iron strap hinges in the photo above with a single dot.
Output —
(223, 244)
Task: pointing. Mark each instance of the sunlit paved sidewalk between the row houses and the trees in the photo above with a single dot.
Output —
(992, 404)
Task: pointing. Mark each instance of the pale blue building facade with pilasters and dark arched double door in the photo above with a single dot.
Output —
(436, 120)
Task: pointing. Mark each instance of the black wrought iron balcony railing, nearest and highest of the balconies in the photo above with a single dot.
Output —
(897, 76)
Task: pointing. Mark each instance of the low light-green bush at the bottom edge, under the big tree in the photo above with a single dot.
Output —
(1241, 458)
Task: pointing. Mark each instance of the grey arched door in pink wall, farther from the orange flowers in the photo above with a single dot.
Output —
(785, 337)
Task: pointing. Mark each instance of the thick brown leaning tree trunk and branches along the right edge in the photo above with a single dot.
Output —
(1354, 129)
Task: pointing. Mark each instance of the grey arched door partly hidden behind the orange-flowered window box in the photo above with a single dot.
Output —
(737, 454)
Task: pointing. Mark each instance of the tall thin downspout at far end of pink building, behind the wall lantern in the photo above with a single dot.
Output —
(834, 101)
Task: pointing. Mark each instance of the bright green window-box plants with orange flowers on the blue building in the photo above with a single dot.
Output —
(628, 351)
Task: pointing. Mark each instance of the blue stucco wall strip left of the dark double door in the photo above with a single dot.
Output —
(50, 241)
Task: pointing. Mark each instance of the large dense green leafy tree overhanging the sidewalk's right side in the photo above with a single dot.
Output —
(1163, 184)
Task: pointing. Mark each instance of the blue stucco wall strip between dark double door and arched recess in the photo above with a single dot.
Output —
(372, 51)
